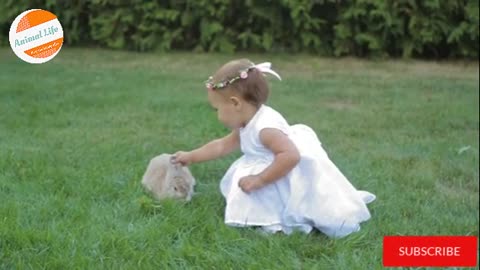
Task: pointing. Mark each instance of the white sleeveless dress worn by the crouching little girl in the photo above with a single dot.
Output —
(315, 194)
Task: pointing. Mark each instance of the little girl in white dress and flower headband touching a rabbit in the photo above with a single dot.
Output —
(284, 181)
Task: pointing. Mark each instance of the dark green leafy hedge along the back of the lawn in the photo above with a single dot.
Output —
(408, 28)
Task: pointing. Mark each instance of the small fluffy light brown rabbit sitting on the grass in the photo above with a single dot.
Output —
(167, 180)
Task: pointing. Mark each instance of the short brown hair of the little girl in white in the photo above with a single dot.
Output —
(253, 89)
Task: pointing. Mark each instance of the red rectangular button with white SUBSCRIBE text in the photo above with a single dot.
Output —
(418, 251)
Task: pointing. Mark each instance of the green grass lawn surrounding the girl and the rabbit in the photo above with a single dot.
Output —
(76, 135)
